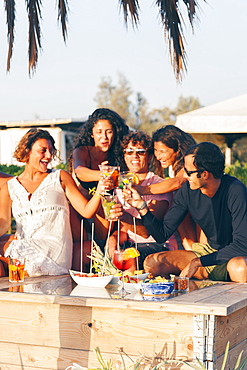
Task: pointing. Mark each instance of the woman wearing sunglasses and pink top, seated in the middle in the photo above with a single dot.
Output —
(137, 148)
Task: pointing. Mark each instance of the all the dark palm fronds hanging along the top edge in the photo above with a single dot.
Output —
(169, 11)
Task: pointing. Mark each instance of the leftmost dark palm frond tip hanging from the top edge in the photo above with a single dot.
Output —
(10, 20)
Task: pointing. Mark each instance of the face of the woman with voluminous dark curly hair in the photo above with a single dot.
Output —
(103, 135)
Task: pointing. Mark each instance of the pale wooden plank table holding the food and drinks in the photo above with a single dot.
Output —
(46, 324)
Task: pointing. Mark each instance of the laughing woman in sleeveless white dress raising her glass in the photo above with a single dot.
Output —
(38, 200)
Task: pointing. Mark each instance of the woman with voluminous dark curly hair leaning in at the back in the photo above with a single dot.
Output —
(99, 142)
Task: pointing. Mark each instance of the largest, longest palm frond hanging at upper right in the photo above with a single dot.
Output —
(171, 20)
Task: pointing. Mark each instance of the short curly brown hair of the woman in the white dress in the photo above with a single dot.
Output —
(23, 148)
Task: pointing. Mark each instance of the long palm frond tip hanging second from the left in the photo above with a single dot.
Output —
(34, 32)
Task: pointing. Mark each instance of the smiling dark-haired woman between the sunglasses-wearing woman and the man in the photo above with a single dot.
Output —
(169, 144)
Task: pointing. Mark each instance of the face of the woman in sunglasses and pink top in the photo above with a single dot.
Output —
(135, 162)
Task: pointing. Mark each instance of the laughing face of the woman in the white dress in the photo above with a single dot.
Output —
(41, 154)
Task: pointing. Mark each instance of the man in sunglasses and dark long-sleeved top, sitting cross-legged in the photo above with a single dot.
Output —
(218, 203)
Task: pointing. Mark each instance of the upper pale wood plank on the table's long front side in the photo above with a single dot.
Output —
(85, 328)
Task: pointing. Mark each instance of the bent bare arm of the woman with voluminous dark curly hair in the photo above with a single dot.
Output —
(81, 165)
